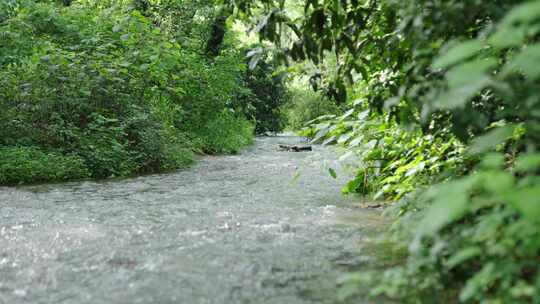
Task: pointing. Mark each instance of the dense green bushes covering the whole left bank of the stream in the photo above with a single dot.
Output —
(113, 88)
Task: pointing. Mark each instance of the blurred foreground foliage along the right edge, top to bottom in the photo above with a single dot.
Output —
(478, 234)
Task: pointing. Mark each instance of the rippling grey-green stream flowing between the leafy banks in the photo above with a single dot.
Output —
(233, 229)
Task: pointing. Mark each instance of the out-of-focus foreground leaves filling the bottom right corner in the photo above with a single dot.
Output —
(478, 235)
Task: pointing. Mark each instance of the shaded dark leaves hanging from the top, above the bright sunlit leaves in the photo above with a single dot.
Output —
(388, 45)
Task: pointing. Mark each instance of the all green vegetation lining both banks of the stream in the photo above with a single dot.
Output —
(435, 104)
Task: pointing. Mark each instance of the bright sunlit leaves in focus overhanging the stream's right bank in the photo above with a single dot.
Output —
(389, 160)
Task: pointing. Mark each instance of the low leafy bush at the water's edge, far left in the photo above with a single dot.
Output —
(32, 165)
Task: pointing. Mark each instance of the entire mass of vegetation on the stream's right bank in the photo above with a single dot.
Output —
(441, 115)
